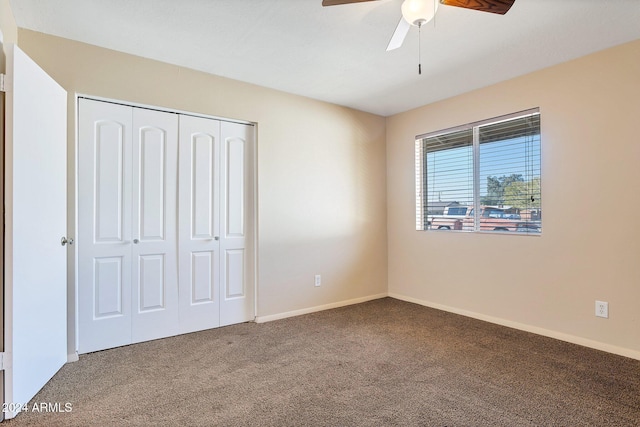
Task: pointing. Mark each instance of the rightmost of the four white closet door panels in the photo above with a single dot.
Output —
(236, 208)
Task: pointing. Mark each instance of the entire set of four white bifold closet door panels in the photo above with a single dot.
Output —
(164, 237)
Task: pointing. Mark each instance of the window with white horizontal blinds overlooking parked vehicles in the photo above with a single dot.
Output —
(490, 172)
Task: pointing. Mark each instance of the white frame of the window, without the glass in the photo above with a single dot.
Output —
(421, 197)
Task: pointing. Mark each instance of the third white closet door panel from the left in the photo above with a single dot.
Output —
(199, 225)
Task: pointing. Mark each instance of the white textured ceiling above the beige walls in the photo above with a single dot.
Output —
(337, 54)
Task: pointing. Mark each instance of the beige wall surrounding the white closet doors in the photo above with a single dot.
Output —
(321, 169)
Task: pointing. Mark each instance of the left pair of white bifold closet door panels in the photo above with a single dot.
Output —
(127, 270)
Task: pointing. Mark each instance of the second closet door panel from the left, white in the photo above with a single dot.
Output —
(154, 188)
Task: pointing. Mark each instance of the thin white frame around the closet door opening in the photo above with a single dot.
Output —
(73, 260)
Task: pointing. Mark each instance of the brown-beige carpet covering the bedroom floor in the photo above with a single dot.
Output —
(380, 363)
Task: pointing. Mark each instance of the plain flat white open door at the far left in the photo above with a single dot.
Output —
(36, 216)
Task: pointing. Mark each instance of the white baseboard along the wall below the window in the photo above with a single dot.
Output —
(621, 351)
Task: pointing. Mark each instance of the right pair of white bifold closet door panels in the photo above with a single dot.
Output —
(215, 232)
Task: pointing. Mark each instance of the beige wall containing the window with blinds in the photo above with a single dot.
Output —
(590, 246)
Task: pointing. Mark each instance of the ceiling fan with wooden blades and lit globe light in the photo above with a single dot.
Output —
(419, 12)
